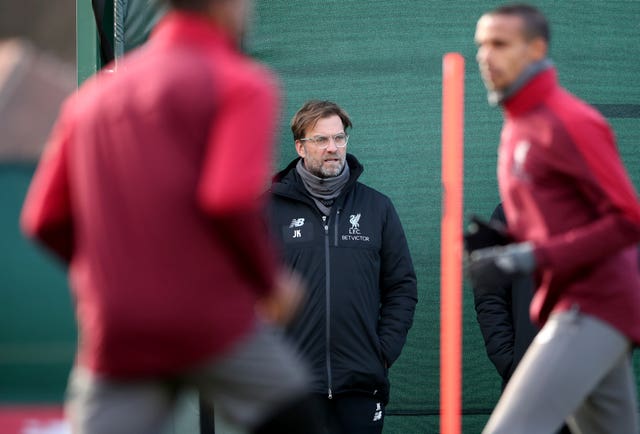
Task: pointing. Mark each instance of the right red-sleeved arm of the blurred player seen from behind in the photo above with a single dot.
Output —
(235, 173)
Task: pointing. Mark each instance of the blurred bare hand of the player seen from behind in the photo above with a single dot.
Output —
(281, 305)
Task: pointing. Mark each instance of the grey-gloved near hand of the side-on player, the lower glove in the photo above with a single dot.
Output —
(492, 268)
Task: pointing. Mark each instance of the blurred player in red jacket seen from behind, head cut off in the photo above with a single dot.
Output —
(148, 189)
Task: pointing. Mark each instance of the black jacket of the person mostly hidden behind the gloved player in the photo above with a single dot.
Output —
(504, 320)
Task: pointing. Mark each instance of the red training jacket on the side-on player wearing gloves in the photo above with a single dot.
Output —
(564, 187)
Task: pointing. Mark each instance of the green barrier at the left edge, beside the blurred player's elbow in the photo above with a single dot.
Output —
(37, 329)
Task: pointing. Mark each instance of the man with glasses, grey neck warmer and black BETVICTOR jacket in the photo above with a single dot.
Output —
(347, 242)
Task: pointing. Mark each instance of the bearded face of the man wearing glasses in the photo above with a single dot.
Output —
(323, 163)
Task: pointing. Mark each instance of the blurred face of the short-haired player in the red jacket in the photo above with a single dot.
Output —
(503, 51)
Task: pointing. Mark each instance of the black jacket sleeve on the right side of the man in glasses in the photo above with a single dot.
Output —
(399, 292)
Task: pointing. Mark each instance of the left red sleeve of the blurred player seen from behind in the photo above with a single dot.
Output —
(46, 213)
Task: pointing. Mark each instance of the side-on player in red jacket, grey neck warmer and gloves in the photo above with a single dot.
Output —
(574, 221)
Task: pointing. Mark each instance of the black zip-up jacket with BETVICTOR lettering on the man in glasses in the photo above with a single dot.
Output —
(360, 279)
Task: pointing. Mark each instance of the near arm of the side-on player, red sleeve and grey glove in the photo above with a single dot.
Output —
(589, 159)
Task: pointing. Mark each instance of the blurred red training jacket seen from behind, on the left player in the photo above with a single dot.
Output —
(148, 187)
